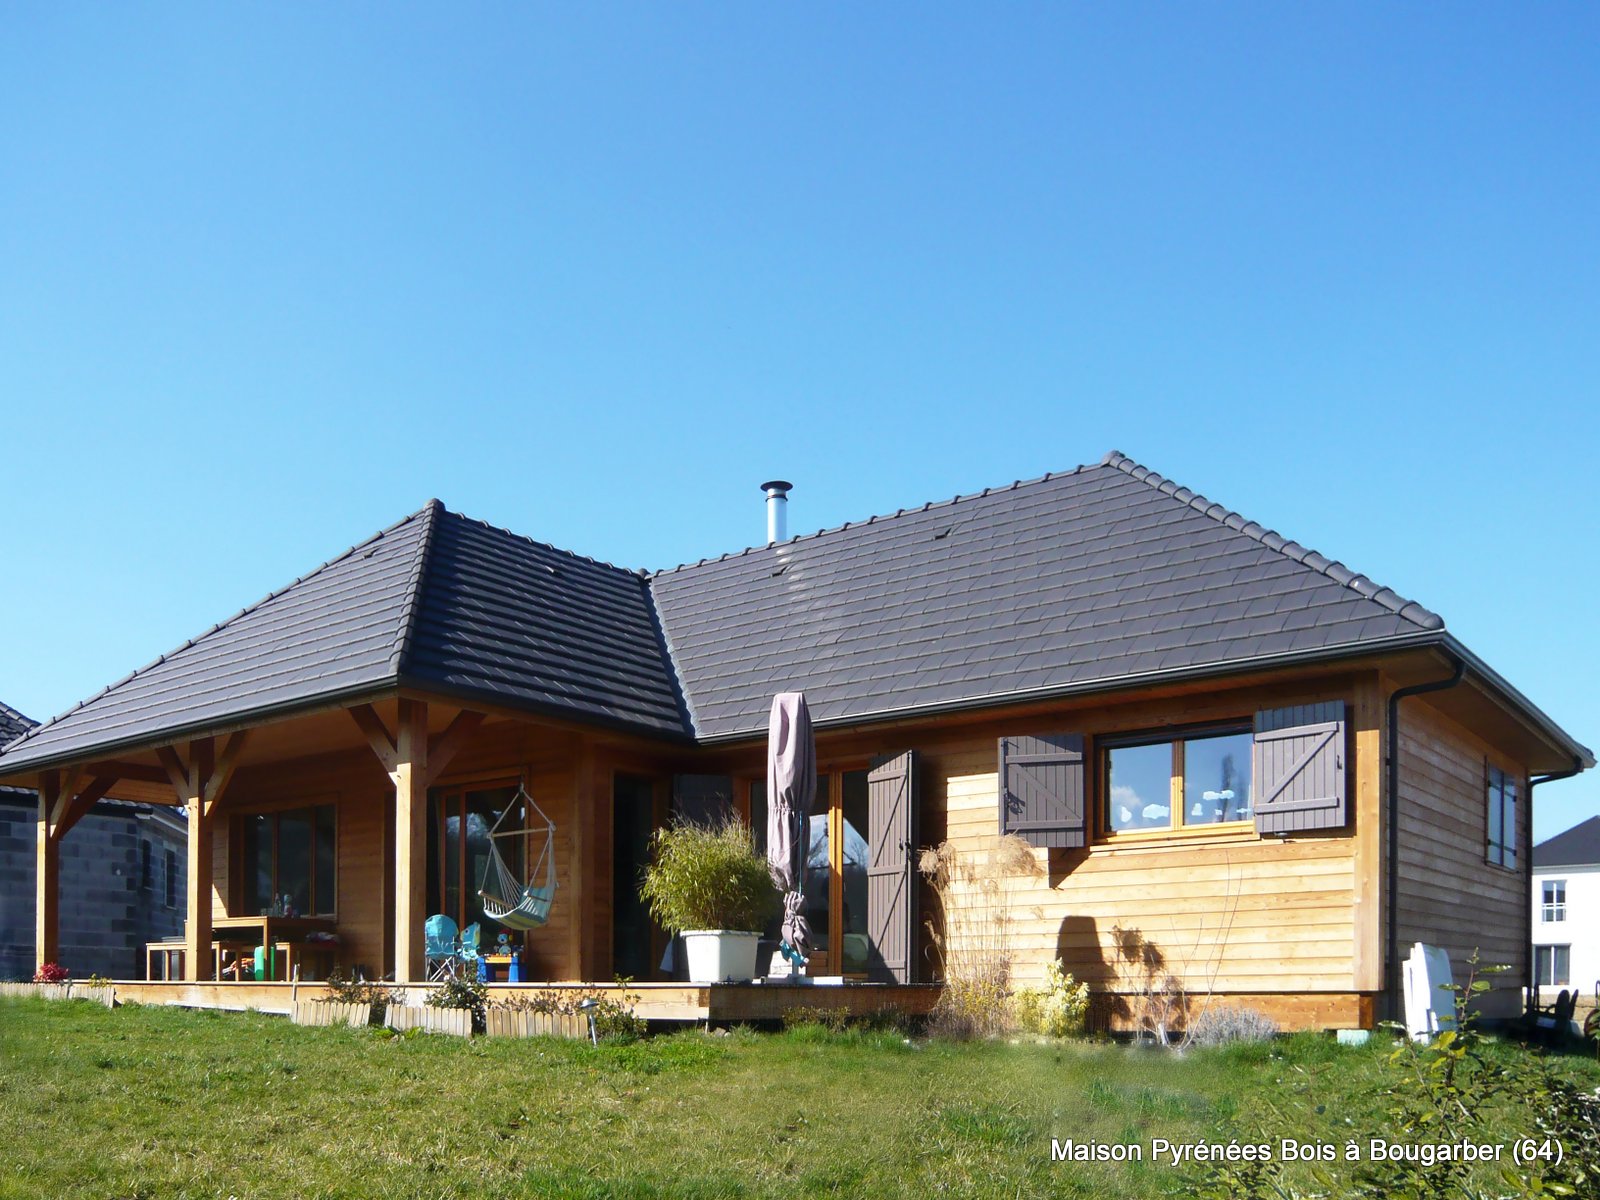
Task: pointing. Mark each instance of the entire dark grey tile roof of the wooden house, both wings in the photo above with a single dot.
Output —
(1100, 577)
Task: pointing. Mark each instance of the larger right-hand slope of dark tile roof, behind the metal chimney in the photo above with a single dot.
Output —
(1103, 574)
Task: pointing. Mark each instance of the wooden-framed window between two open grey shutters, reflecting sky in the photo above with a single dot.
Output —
(1175, 783)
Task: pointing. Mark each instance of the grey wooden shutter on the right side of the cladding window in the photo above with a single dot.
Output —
(1298, 769)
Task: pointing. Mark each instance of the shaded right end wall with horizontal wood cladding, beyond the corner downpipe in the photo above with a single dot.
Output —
(1449, 894)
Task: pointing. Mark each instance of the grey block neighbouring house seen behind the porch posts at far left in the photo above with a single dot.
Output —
(122, 881)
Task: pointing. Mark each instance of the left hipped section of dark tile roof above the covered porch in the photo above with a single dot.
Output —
(438, 602)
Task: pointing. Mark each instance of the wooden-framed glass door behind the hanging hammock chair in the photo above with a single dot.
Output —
(458, 854)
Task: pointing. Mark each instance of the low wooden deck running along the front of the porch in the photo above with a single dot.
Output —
(718, 1004)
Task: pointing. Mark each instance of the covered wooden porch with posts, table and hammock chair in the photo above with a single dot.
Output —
(327, 839)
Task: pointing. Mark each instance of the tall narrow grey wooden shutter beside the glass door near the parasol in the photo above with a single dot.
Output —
(892, 874)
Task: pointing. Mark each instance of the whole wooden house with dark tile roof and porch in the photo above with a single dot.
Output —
(1185, 716)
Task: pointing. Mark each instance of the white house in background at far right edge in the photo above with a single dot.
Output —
(1567, 911)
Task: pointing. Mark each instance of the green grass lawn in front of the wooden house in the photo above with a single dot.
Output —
(172, 1103)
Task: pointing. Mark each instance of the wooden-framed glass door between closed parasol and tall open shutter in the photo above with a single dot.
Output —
(836, 879)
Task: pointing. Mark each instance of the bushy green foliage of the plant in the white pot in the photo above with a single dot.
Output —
(710, 878)
